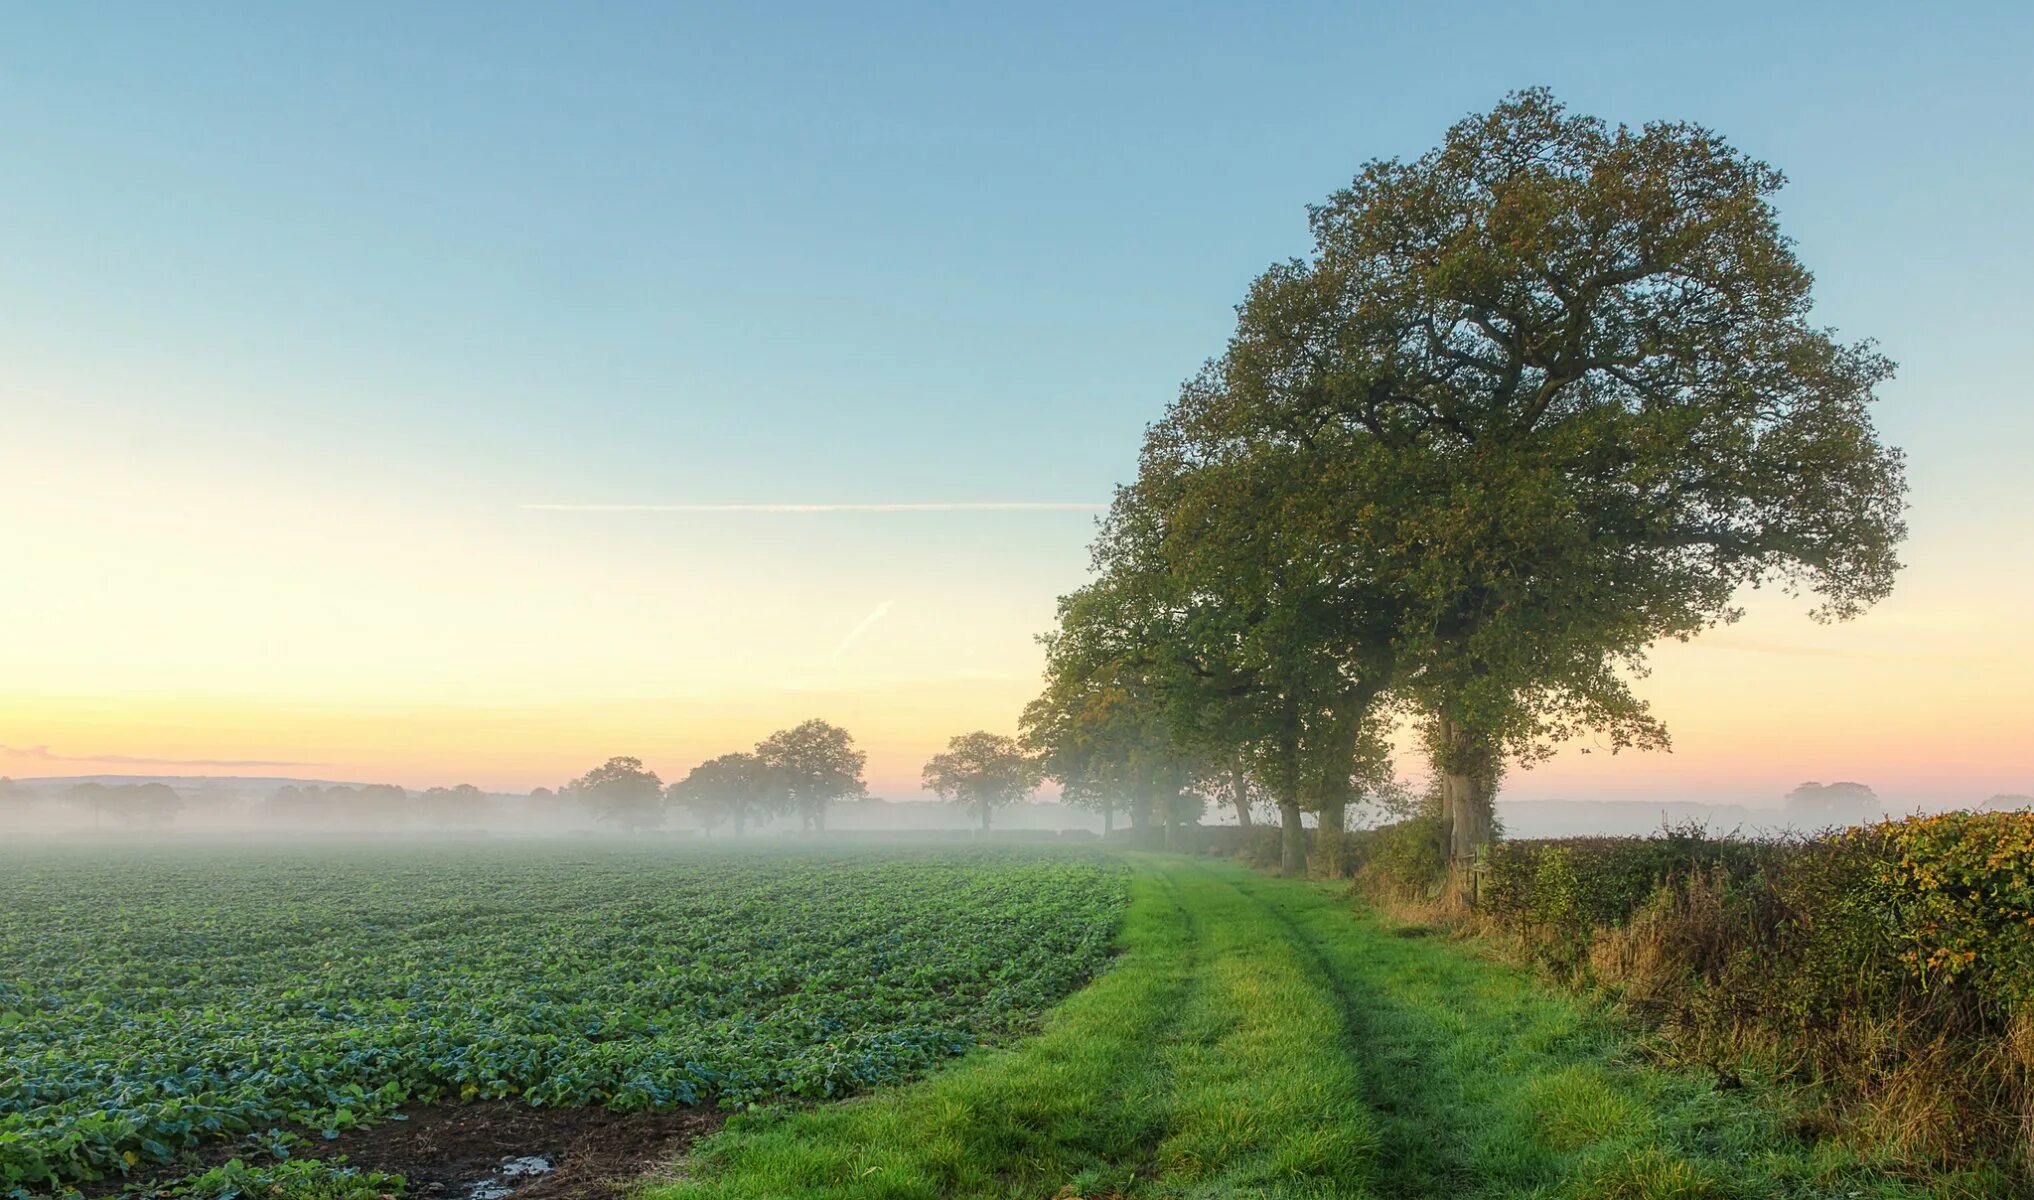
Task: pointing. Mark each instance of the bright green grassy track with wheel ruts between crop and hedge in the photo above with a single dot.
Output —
(1264, 1038)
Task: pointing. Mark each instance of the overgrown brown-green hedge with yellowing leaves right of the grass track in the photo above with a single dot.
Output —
(1893, 965)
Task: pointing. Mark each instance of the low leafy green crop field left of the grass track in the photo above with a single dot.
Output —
(154, 1006)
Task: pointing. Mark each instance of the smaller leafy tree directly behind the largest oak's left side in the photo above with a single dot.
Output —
(1244, 648)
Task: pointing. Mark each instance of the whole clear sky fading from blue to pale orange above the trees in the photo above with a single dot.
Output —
(475, 392)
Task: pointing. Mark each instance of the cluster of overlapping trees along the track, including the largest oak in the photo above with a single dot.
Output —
(1539, 400)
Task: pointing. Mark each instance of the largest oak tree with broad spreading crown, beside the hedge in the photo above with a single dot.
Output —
(1565, 385)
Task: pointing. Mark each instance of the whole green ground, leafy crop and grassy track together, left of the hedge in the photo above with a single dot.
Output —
(882, 1024)
